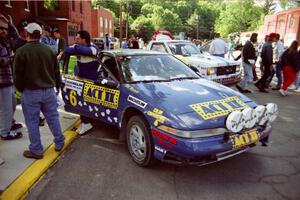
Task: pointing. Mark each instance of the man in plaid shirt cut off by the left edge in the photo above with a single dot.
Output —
(8, 35)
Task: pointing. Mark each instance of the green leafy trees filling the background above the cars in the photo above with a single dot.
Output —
(208, 16)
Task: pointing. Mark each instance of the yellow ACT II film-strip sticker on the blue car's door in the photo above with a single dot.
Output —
(101, 95)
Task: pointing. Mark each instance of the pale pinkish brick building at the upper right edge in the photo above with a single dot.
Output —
(286, 23)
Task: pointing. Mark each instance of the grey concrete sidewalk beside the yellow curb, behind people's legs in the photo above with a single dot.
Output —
(12, 151)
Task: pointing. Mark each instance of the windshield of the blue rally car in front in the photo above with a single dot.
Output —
(148, 68)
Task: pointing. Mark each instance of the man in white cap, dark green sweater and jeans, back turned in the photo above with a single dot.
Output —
(36, 79)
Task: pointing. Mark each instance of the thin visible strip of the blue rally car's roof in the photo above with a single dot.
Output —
(133, 52)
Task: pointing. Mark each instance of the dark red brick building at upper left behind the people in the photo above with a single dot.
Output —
(67, 16)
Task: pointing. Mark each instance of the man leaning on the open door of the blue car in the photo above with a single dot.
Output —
(86, 69)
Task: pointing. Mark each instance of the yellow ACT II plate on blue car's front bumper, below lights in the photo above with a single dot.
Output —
(244, 139)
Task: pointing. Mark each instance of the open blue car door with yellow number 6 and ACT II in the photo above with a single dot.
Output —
(98, 98)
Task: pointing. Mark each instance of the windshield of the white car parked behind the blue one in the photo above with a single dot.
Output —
(183, 49)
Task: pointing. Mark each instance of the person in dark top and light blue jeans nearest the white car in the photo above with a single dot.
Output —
(249, 58)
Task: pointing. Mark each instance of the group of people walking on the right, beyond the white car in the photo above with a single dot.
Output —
(275, 60)
